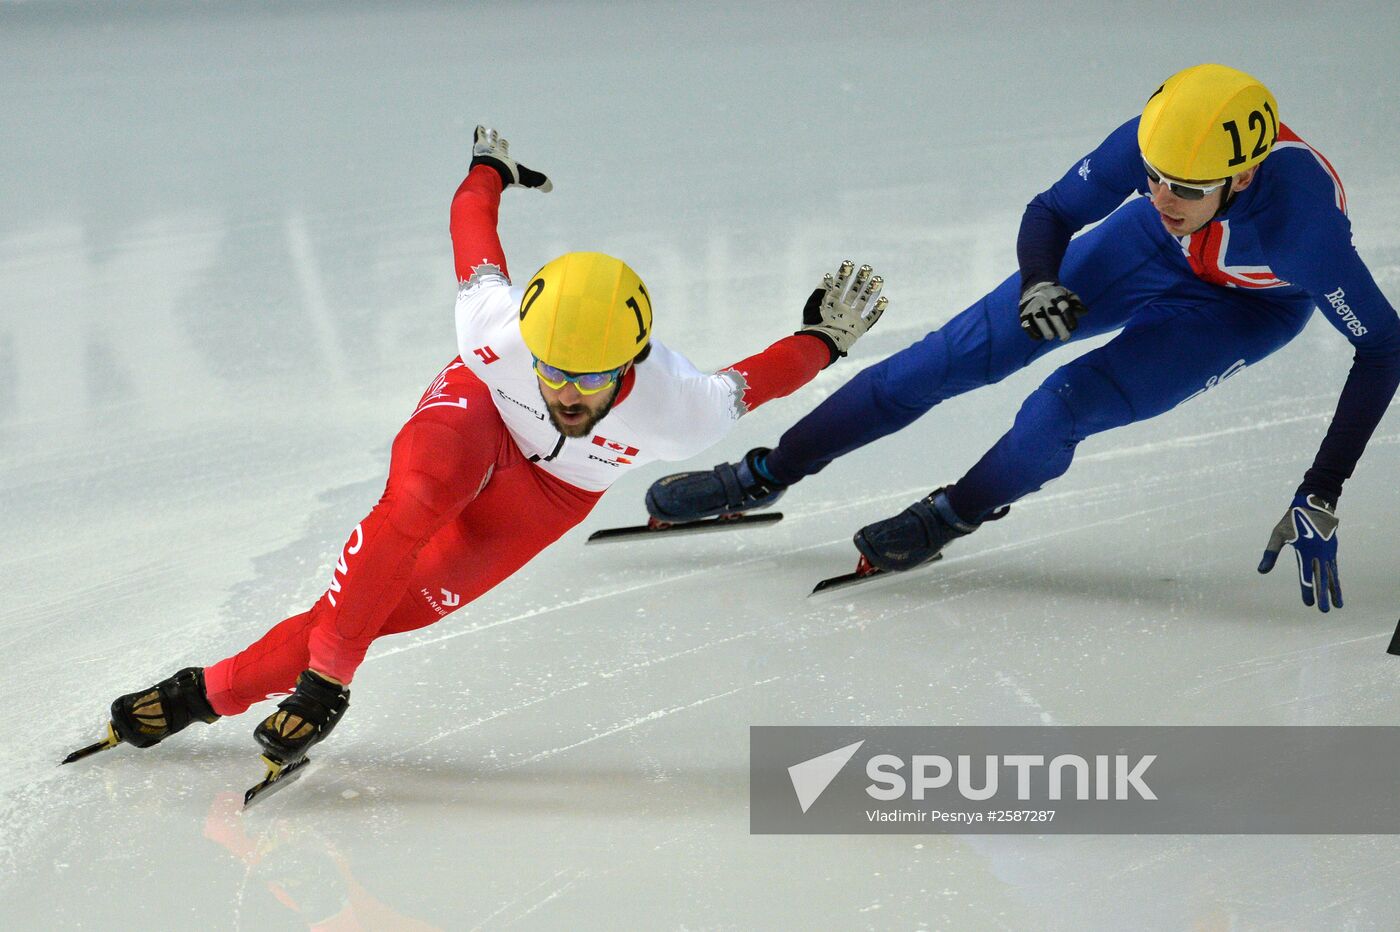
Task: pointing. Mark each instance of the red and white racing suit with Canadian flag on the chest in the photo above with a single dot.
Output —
(481, 481)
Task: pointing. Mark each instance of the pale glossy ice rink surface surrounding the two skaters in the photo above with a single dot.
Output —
(226, 279)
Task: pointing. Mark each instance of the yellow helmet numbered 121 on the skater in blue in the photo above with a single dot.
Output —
(1209, 122)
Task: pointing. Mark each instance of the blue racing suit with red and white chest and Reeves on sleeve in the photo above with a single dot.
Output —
(1192, 310)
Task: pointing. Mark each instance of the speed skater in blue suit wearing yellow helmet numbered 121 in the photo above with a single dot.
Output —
(1240, 236)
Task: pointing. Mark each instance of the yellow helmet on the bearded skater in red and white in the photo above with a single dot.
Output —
(586, 313)
